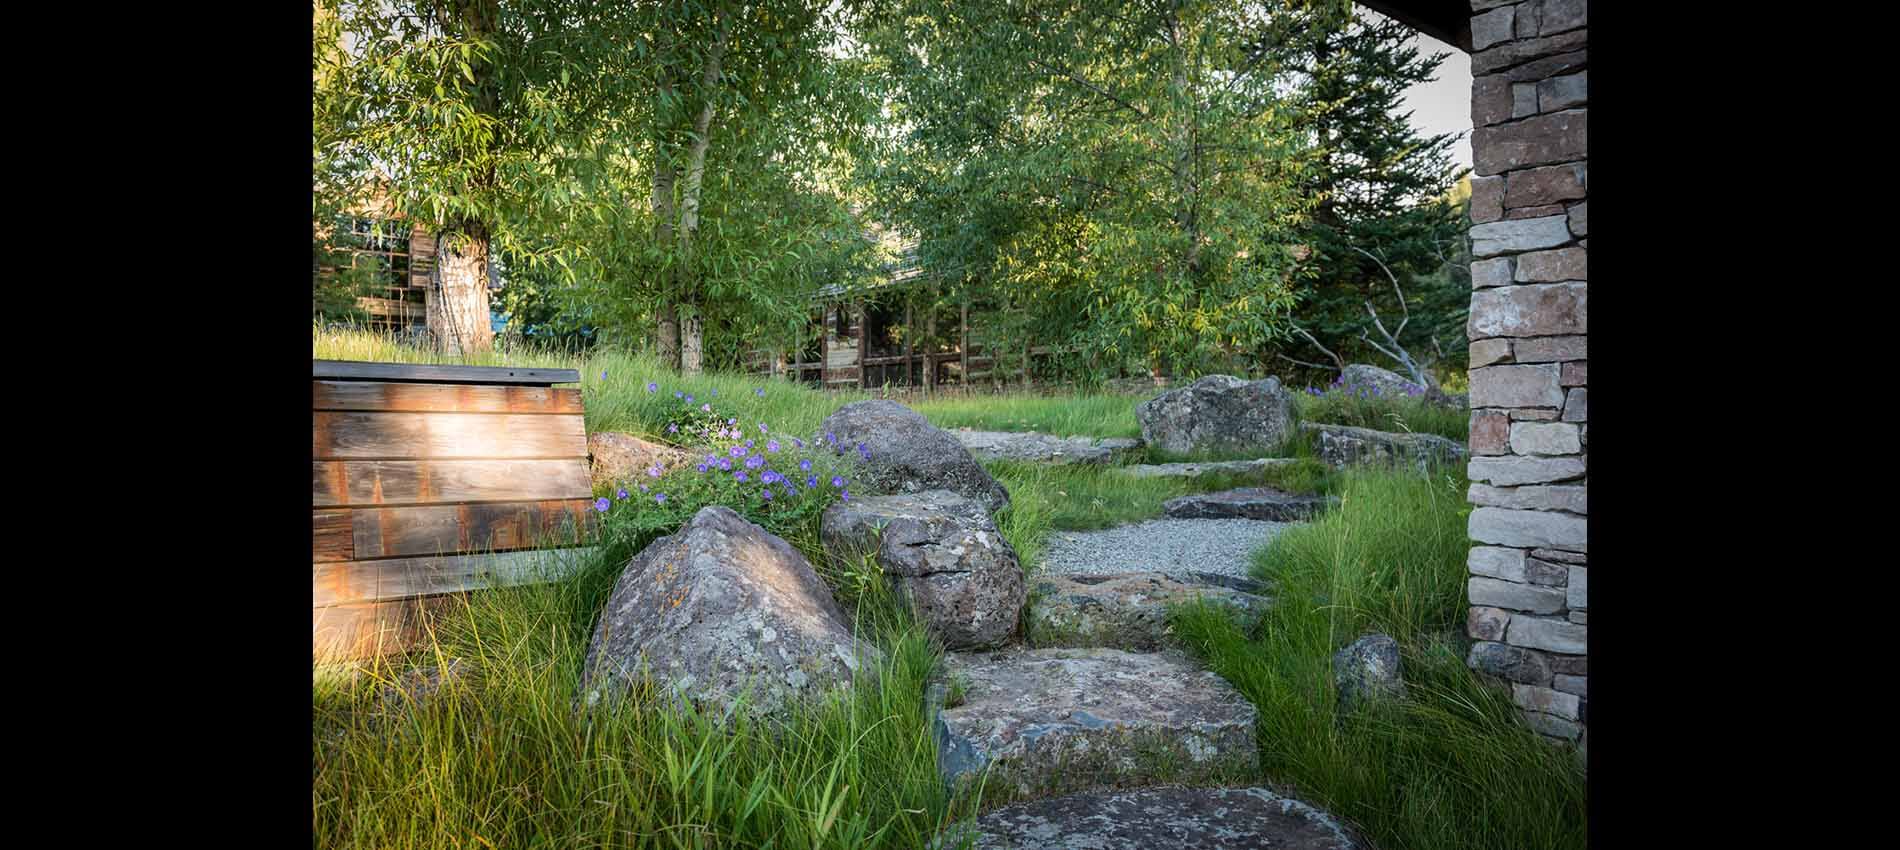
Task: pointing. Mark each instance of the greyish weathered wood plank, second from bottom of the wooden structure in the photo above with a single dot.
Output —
(417, 577)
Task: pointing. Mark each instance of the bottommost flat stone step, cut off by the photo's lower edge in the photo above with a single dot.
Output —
(1179, 819)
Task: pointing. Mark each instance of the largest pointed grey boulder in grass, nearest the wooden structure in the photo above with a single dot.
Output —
(721, 608)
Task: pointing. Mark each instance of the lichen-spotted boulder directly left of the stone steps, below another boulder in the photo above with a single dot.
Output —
(945, 554)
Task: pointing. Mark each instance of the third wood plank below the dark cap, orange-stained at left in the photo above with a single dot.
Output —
(347, 484)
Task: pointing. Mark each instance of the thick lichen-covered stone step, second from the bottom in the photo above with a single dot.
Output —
(1069, 720)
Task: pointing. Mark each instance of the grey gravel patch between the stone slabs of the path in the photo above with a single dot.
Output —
(1173, 547)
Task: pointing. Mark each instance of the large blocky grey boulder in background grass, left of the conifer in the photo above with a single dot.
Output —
(1219, 414)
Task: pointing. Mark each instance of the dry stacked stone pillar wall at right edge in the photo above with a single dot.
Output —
(1530, 370)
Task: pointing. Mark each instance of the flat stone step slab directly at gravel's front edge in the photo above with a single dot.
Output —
(1128, 611)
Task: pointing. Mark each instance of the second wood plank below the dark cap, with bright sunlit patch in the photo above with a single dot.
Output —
(343, 436)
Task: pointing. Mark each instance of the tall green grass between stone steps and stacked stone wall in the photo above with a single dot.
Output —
(1449, 767)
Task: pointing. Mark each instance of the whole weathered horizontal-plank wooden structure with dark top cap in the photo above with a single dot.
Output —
(430, 482)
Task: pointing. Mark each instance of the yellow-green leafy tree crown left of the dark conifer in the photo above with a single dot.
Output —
(1124, 187)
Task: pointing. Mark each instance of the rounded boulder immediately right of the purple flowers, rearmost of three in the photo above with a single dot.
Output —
(909, 454)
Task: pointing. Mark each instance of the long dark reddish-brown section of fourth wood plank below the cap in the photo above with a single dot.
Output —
(468, 528)
